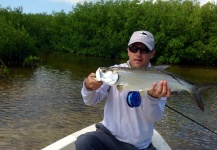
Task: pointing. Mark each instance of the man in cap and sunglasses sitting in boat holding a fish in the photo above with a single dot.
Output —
(124, 127)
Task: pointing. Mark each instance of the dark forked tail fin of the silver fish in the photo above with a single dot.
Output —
(198, 90)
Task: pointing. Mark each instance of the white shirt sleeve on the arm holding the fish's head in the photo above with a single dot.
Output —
(92, 97)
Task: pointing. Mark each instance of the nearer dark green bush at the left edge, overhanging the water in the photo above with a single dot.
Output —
(15, 42)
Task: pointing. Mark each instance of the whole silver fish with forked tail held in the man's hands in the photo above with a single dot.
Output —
(141, 79)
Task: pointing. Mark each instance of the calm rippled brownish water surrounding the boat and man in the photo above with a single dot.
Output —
(43, 105)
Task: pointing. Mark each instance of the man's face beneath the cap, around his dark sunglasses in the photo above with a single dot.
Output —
(139, 59)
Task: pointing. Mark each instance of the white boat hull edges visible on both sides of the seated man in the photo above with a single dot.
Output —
(68, 142)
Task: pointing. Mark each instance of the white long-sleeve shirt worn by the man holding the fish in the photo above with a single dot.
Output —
(131, 125)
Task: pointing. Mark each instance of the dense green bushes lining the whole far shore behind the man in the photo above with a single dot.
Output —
(184, 31)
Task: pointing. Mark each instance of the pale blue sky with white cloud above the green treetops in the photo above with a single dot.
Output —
(47, 6)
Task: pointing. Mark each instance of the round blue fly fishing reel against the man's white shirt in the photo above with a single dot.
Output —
(133, 99)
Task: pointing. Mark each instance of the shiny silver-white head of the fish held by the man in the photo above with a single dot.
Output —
(108, 75)
